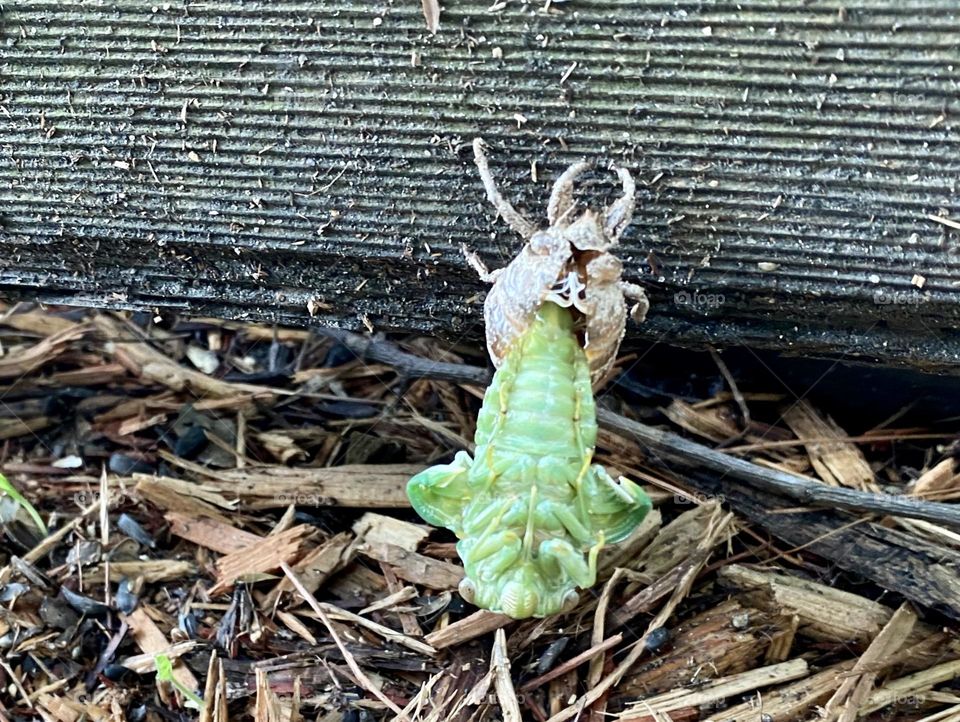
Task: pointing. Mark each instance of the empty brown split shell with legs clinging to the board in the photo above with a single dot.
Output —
(569, 263)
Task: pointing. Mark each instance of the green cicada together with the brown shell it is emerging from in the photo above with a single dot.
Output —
(531, 509)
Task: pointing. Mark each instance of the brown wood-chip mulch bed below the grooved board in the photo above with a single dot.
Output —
(228, 537)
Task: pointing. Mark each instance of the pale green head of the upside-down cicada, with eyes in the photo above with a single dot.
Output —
(520, 592)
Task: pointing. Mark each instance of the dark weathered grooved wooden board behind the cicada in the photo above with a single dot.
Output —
(259, 159)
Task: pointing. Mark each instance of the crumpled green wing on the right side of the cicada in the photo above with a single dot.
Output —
(615, 508)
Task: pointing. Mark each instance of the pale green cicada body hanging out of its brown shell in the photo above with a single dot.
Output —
(531, 510)
